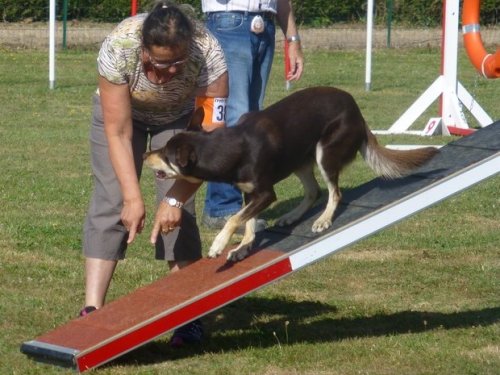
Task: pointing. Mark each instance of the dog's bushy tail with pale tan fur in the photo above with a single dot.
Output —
(390, 163)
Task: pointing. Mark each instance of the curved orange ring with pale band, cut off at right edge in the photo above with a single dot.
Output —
(487, 64)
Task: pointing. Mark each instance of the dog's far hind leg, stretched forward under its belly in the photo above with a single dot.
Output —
(311, 193)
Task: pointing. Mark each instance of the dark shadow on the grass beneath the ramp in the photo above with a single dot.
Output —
(259, 322)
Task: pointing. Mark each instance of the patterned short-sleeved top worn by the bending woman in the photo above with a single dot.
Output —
(120, 62)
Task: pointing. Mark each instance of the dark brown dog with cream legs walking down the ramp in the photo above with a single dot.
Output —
(319, 124)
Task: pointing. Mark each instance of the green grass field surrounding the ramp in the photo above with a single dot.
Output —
(422, 297)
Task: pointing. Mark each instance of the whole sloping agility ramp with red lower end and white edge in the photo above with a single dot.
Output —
(180, 297)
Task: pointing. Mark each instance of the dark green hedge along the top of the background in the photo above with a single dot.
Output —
(312, 13)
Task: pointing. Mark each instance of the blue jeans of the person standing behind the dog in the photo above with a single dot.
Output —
(249, 57)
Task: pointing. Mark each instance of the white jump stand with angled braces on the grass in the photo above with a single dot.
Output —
(453, 95)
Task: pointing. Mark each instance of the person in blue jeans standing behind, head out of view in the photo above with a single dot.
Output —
(246, 31)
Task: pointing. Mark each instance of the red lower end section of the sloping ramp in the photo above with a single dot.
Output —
(152, 310)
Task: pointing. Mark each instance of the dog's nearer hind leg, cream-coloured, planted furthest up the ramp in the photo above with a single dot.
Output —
(331, 178)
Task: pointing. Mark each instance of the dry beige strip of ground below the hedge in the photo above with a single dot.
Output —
(89, 35)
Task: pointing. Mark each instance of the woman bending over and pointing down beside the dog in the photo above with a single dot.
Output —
(151, 68)
